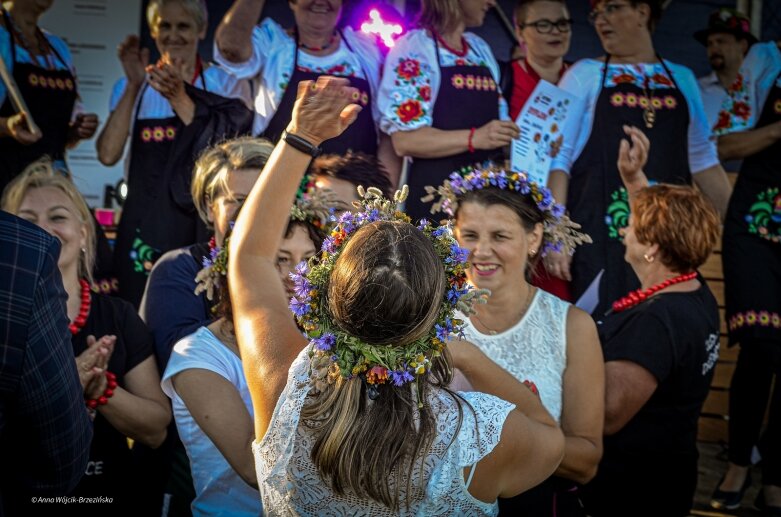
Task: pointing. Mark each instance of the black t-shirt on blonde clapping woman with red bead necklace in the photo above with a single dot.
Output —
(110, 469)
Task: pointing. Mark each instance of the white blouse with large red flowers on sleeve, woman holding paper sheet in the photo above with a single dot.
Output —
(411, 77)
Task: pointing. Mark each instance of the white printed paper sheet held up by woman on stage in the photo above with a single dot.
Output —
(543, 121)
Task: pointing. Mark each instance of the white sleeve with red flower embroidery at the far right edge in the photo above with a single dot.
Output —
(760, 70)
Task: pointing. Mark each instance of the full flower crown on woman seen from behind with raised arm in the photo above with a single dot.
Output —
(334, 352)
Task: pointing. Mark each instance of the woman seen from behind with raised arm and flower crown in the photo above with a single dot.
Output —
(361, 421)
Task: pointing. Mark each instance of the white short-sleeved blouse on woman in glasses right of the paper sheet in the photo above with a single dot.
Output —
(584, 79)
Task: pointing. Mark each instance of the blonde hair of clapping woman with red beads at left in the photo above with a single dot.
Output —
(41, 174)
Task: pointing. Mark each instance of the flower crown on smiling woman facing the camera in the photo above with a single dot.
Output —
(560, 232)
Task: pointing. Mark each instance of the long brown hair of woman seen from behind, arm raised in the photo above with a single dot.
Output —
(386, 289)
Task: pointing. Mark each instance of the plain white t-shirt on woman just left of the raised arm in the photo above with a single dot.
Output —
(219, 489)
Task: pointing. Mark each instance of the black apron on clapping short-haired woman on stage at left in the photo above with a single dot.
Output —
(152, 221)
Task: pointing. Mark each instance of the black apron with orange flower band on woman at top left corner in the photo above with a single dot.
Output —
(50, 96)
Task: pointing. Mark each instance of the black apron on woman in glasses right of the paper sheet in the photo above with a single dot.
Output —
(597, 198)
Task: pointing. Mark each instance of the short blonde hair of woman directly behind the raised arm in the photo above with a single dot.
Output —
(214, 165)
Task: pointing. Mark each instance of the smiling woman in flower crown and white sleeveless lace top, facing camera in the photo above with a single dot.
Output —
(508, 223)
